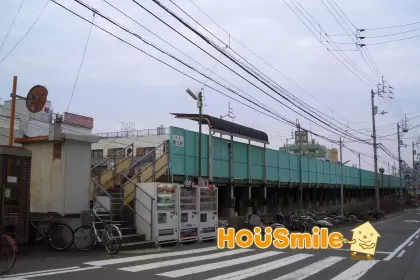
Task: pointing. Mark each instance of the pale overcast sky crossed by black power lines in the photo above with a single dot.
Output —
(120, 83)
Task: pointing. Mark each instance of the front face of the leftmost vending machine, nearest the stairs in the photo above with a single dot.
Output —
(166, 213)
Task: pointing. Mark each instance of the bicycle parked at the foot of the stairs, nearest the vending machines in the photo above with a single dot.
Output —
(86, 237)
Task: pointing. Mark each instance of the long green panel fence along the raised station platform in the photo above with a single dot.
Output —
(280, 166)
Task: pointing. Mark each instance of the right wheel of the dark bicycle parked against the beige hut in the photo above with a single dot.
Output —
(60, 236)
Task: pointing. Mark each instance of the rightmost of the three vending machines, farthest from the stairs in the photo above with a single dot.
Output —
(208, 213)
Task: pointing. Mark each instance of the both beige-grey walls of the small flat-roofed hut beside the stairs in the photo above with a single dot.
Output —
(60, 185)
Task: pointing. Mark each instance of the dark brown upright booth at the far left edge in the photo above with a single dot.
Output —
(15, 174)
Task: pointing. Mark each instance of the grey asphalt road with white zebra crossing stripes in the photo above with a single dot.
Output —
(397, 258)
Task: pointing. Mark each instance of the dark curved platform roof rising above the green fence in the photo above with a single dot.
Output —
(227, 127)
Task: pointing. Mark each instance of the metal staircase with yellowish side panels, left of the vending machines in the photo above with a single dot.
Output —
(108, 192)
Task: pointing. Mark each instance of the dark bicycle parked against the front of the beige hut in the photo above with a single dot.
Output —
(58, 235)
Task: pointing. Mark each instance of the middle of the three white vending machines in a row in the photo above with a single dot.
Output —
(187, 213)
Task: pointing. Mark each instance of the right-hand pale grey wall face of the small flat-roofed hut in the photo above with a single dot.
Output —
(76, 179)
